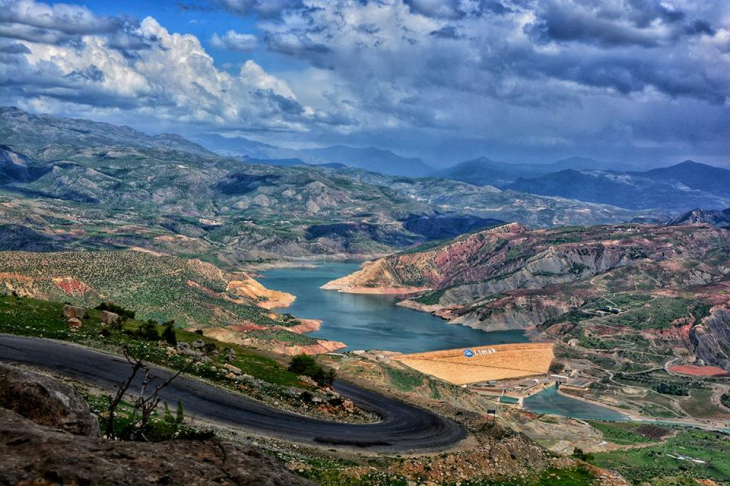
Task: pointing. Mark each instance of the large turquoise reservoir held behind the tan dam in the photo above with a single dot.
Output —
(371, 321)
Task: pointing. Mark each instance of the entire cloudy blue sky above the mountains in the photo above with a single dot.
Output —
(631, 81)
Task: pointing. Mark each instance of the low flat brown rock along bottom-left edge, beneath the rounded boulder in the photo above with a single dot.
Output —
(36, 454)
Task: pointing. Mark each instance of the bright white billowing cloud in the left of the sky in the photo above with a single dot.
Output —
(171, 79)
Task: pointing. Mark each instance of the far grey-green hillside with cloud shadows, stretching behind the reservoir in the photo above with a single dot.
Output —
(78, 183)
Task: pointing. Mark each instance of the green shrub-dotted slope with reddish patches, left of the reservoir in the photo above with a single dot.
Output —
(156, 287)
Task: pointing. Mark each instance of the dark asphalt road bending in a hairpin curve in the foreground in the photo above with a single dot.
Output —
(403, 428)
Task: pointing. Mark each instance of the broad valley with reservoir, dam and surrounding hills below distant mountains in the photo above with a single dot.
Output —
(386, 280)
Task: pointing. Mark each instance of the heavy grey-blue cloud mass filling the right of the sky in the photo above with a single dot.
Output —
(508, 68)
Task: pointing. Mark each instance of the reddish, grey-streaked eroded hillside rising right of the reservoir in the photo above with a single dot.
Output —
(511, 278)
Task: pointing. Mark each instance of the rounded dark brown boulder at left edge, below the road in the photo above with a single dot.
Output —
(45, 401)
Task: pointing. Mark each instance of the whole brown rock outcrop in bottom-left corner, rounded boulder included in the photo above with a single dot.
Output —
(49, 436)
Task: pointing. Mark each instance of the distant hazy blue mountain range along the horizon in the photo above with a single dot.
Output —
(674, 189)
